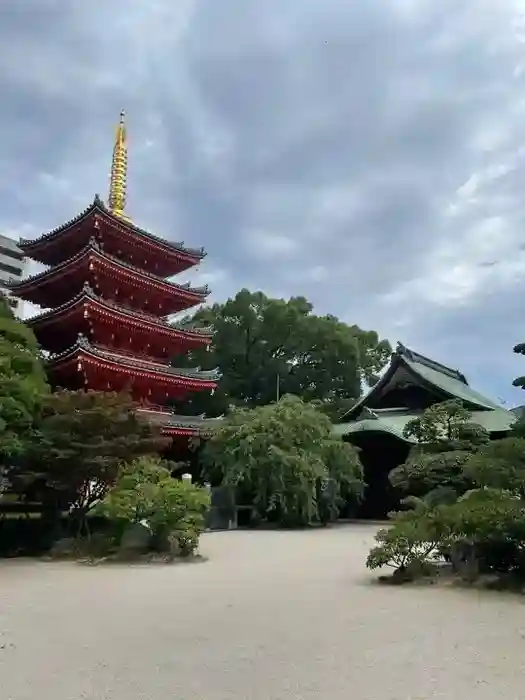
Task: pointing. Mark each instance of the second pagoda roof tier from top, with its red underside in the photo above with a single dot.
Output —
(110, 278)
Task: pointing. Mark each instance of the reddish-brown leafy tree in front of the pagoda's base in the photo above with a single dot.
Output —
(81, 441)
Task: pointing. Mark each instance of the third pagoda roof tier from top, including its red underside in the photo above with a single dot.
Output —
(100, 319)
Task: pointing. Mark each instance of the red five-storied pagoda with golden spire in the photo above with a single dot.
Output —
(108, 298)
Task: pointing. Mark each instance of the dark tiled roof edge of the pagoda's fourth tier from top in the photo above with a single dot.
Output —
(137, 363)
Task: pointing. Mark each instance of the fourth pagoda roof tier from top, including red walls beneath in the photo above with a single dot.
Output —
(104, 369)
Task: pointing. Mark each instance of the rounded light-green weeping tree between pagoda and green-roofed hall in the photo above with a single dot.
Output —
(283, 456)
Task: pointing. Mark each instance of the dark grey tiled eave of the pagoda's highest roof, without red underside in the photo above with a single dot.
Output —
(31, 247)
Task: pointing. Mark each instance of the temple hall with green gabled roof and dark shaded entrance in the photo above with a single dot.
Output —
(376, 423)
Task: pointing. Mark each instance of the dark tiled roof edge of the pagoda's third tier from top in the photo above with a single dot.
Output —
(87, 293)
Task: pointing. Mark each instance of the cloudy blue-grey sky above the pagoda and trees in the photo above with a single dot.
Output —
(367, 155)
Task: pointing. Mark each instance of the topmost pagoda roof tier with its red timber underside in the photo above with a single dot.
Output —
(120, 238)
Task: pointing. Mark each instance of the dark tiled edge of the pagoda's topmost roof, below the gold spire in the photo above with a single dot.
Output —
(98, 206)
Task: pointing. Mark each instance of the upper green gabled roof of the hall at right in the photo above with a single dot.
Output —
(447, 381)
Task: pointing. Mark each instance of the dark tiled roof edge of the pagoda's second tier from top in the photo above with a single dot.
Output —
(18, 288)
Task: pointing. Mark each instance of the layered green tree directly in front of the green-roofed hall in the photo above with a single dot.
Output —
(445, 440)
